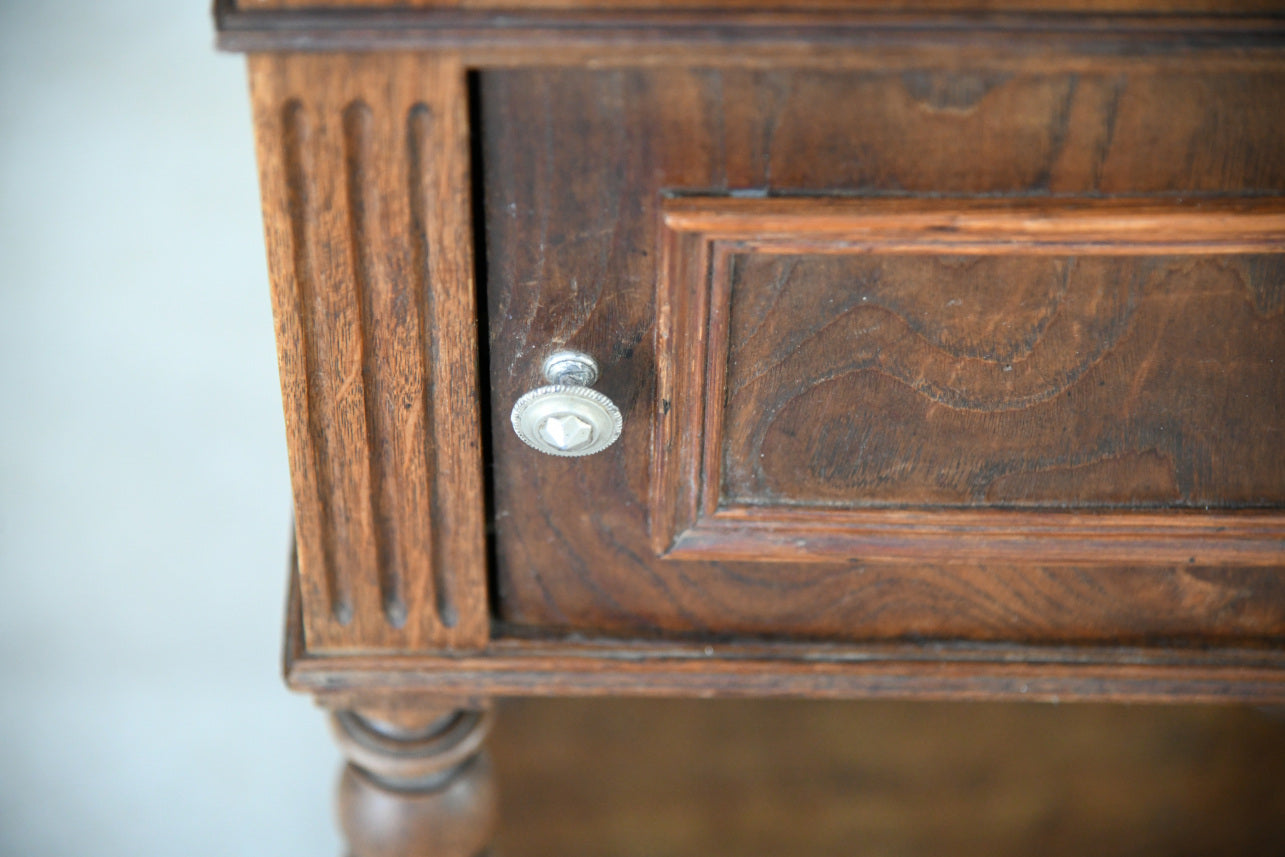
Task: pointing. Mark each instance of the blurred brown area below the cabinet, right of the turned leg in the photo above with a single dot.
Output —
(763, 779)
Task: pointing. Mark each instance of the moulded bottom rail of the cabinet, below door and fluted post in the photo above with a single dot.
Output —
(521, 666)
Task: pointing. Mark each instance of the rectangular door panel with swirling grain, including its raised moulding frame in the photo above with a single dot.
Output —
(952, 355)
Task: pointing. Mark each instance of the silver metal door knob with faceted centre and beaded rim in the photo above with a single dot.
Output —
(567, 418)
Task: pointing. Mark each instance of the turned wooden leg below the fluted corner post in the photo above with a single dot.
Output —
(417, 784)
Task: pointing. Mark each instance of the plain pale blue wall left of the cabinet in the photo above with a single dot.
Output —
(145, 503)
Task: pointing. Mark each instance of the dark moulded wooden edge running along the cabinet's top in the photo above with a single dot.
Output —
(630, 37)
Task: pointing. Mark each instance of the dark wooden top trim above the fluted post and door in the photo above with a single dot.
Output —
(912, 35)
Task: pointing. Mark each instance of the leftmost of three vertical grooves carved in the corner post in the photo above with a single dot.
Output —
(295, 138)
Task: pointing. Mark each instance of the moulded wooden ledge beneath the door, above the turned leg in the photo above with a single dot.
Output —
(637, 671)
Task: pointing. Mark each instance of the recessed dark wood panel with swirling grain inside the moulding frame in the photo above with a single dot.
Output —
(1056, 382)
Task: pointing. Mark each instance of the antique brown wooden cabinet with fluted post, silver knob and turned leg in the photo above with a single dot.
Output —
(944, 340)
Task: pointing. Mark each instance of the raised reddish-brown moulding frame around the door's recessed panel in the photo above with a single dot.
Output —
(688, 520)
